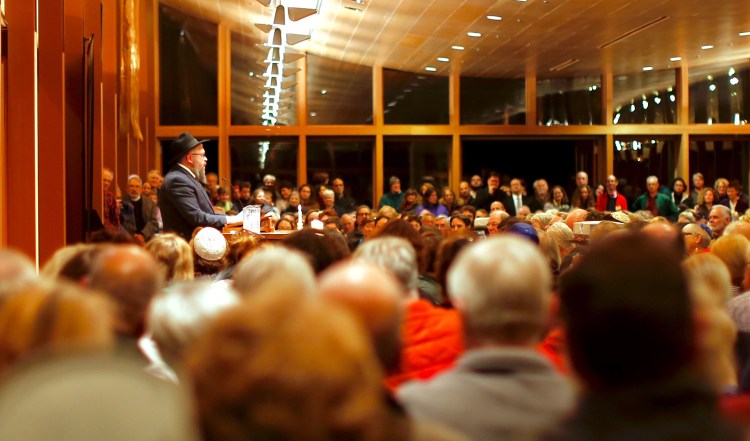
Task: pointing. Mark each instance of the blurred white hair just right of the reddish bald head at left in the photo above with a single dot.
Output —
(177, 316)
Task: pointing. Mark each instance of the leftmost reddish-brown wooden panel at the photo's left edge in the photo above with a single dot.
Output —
(21, 159)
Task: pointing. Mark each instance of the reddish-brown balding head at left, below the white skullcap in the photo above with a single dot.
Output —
(130, 276)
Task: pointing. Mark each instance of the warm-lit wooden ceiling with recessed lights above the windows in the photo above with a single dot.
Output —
(534, 36)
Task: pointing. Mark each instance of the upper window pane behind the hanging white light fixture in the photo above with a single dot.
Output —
(248, 82)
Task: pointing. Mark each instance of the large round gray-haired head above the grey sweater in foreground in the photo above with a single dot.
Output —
(502, 287)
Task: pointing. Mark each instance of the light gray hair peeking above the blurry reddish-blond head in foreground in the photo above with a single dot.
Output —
(268, 264)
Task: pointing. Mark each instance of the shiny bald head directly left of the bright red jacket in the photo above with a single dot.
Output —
(375, 297)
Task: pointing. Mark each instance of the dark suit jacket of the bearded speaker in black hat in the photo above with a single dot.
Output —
(185, 205)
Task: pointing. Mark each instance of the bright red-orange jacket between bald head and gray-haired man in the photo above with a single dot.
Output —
(432, 340)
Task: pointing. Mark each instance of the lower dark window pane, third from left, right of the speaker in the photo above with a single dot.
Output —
(347, 158)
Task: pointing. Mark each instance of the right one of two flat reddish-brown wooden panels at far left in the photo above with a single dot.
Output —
(51, 165)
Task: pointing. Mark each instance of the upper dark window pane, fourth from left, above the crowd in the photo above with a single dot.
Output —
(410, 98)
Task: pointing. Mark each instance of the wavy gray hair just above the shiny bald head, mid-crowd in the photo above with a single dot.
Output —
(393, 254)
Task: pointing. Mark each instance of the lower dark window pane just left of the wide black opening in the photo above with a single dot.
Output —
(416, 160)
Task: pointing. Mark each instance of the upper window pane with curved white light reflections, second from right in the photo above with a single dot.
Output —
(645, 98)
